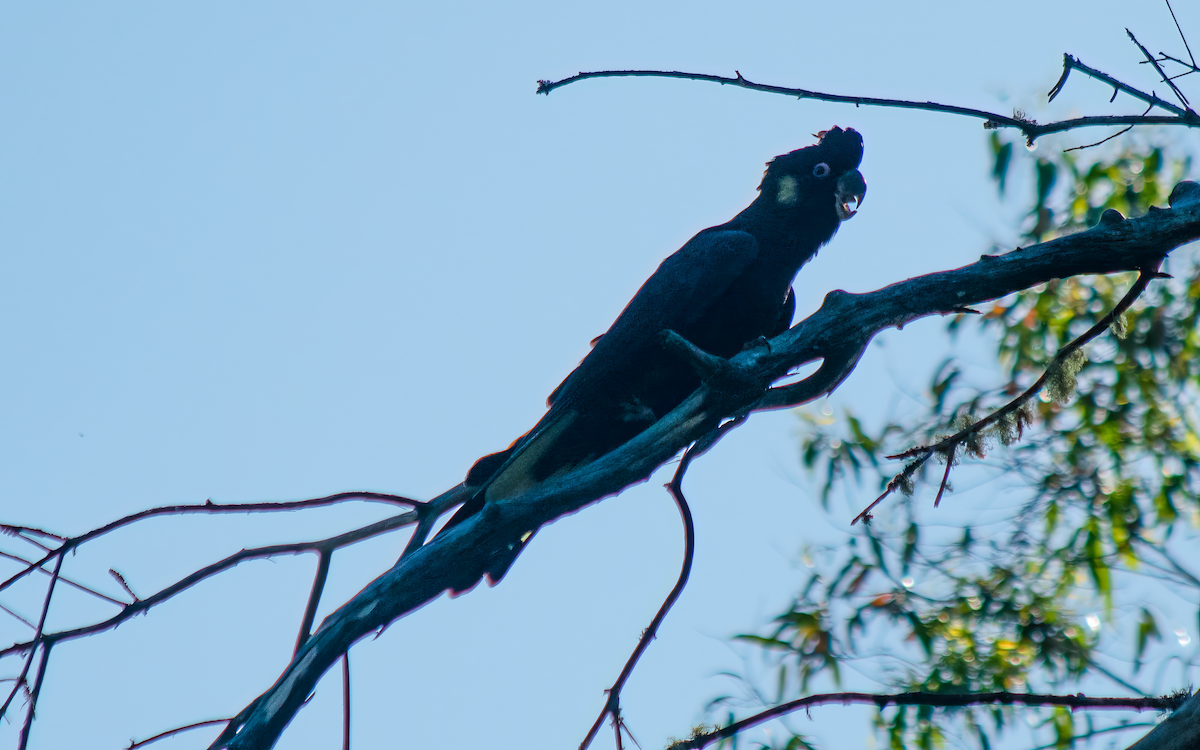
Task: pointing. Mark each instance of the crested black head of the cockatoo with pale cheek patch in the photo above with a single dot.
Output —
(825, 175)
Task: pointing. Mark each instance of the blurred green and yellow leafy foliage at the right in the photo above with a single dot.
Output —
(1103, 469)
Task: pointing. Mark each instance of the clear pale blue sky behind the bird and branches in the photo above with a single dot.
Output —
(279, 250)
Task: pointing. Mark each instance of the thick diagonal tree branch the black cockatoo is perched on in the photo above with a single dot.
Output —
(837, 333)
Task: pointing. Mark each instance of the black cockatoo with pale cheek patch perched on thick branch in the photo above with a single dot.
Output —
(727, 289)
